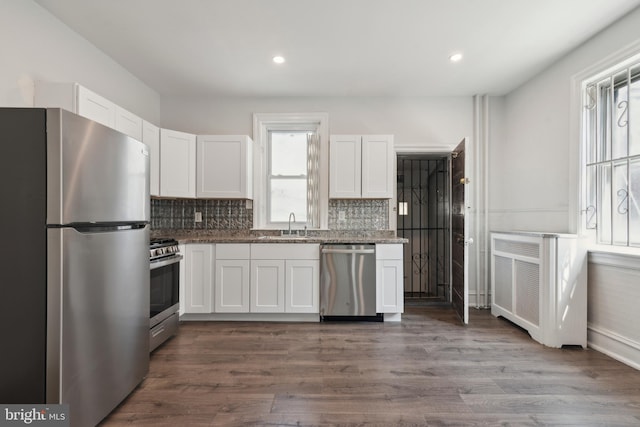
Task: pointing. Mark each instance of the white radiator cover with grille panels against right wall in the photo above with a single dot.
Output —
(539, 282)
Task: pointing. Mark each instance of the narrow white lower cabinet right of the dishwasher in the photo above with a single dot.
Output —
(389, 278)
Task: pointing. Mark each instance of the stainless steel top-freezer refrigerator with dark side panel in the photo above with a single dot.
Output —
(74, 287)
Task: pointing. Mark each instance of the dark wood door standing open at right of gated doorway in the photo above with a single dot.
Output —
(459, 281)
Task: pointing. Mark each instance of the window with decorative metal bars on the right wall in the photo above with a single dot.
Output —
(611, 153)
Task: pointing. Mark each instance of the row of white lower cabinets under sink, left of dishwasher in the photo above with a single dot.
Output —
(229, 278)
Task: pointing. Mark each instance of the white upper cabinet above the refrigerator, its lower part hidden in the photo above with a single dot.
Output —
(84, 102)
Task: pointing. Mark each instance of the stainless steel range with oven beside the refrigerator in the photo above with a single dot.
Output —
(164, 256)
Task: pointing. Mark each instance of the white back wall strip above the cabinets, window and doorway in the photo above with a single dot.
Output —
(414, 121)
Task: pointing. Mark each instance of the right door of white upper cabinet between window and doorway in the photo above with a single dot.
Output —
(377, 166)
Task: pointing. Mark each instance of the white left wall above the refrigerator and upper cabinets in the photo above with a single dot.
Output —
(37, 46)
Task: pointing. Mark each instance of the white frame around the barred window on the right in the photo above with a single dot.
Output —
(625, 56)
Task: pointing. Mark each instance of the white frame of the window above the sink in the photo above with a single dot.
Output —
(262, 124)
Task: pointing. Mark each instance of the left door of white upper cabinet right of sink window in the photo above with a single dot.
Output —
(345, 173)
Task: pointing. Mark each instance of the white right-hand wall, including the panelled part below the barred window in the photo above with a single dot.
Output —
(534, 182)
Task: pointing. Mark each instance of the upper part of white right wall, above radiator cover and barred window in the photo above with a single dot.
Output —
(533, 182)
